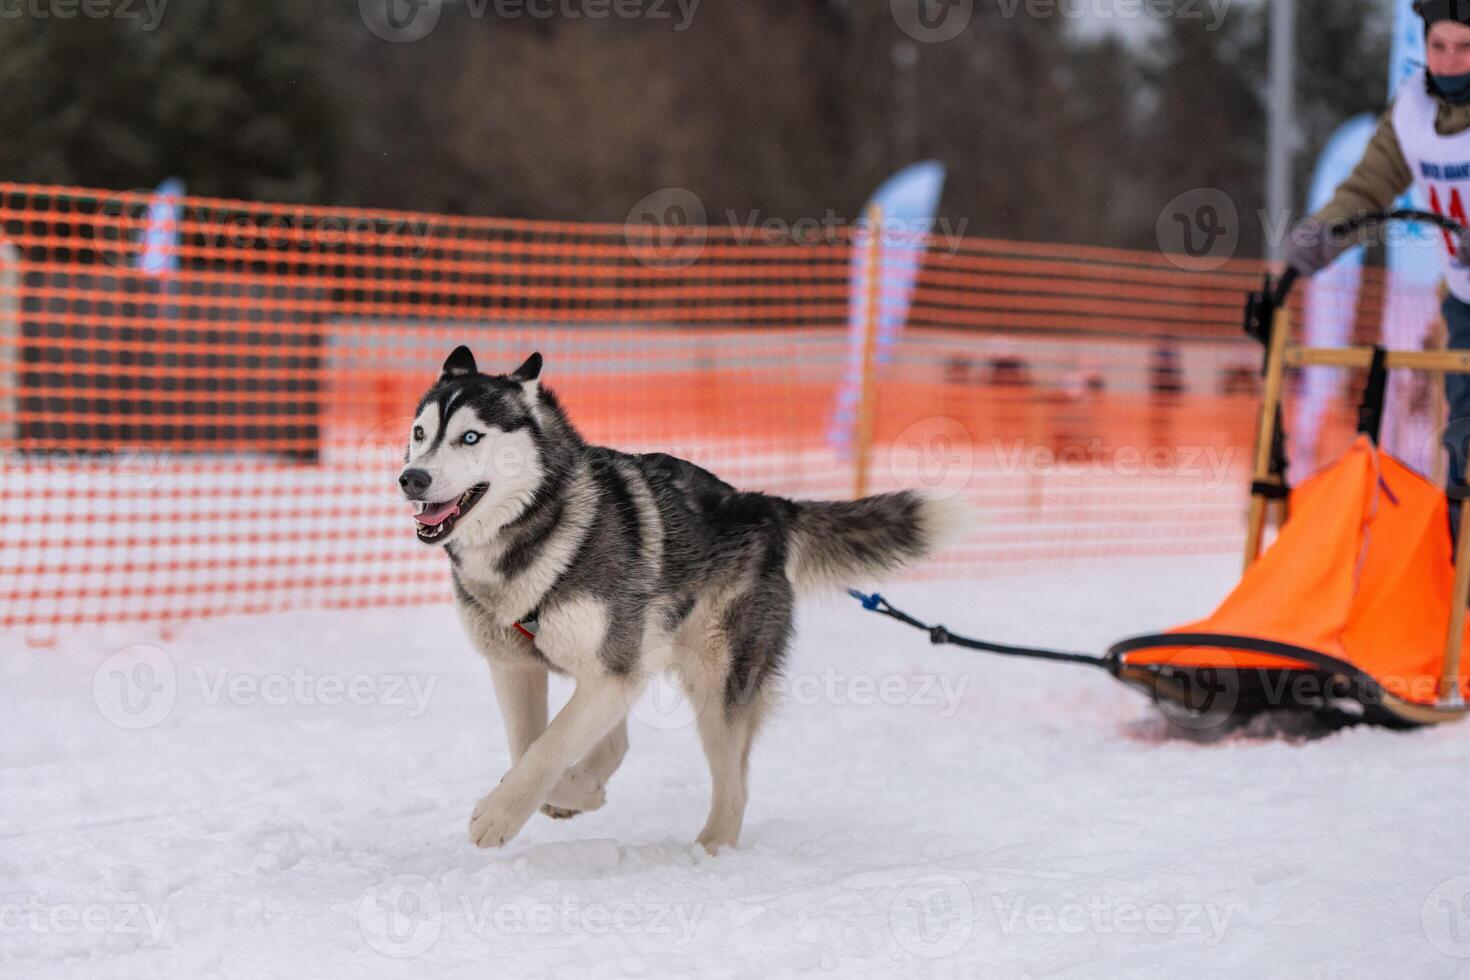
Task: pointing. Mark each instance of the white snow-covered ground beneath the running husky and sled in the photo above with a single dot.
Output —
(289, 796)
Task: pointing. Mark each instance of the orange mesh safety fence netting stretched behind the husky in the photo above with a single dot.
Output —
(224, 436)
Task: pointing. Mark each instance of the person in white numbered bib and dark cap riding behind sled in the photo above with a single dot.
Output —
(1424, 137)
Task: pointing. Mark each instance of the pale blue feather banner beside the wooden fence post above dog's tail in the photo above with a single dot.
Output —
(906, 206)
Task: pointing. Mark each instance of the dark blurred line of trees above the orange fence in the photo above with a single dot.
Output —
(787, 108)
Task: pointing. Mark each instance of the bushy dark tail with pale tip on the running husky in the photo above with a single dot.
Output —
(837, 544)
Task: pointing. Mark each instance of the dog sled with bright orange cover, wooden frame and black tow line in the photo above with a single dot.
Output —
(1358, 609)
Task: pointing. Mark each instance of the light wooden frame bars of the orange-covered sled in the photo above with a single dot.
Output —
(1281, 355)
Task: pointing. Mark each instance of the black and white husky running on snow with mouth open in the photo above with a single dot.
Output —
(611, 568)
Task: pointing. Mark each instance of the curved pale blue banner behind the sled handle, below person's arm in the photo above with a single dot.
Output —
(1331, 299)
